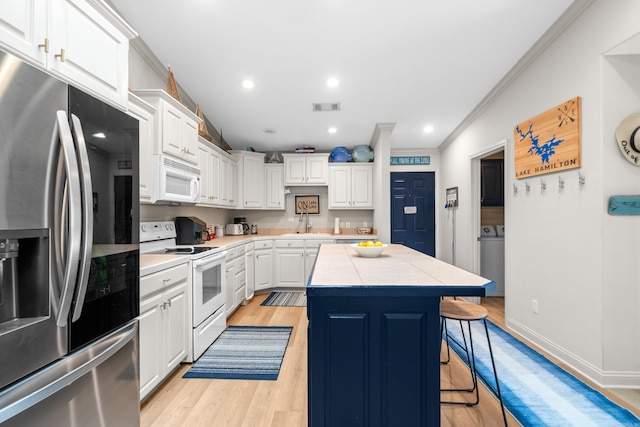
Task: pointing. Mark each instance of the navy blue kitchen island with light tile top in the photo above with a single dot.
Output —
(374, 335)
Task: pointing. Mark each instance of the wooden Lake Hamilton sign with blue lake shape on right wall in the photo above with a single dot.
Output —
(549, 142)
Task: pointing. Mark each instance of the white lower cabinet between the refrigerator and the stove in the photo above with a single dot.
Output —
(164, 325)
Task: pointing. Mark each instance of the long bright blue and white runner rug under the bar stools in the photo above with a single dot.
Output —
(535, 390)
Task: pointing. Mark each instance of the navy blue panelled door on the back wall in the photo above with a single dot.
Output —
(413, 212)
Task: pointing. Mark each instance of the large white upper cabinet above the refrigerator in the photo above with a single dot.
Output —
(83, 42)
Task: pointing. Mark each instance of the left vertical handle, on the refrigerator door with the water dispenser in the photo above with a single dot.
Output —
(74, 223)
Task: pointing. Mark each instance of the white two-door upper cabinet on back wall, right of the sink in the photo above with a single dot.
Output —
(351, 186)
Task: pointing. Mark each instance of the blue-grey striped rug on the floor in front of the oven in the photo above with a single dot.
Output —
(244, 352)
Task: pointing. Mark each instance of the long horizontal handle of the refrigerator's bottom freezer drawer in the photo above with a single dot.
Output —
(62, 374)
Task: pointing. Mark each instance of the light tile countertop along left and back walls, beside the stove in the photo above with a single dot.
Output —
(152, 263)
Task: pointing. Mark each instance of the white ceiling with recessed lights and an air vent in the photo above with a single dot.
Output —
(414, 63)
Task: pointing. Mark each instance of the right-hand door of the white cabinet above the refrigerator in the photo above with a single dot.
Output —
(96, 53)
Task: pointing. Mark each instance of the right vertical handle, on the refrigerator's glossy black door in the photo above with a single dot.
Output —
(87, 216)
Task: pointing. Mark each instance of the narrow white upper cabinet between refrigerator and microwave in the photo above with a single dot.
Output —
(144, 112)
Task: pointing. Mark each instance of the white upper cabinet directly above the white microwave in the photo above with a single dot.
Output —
(176, 127)
